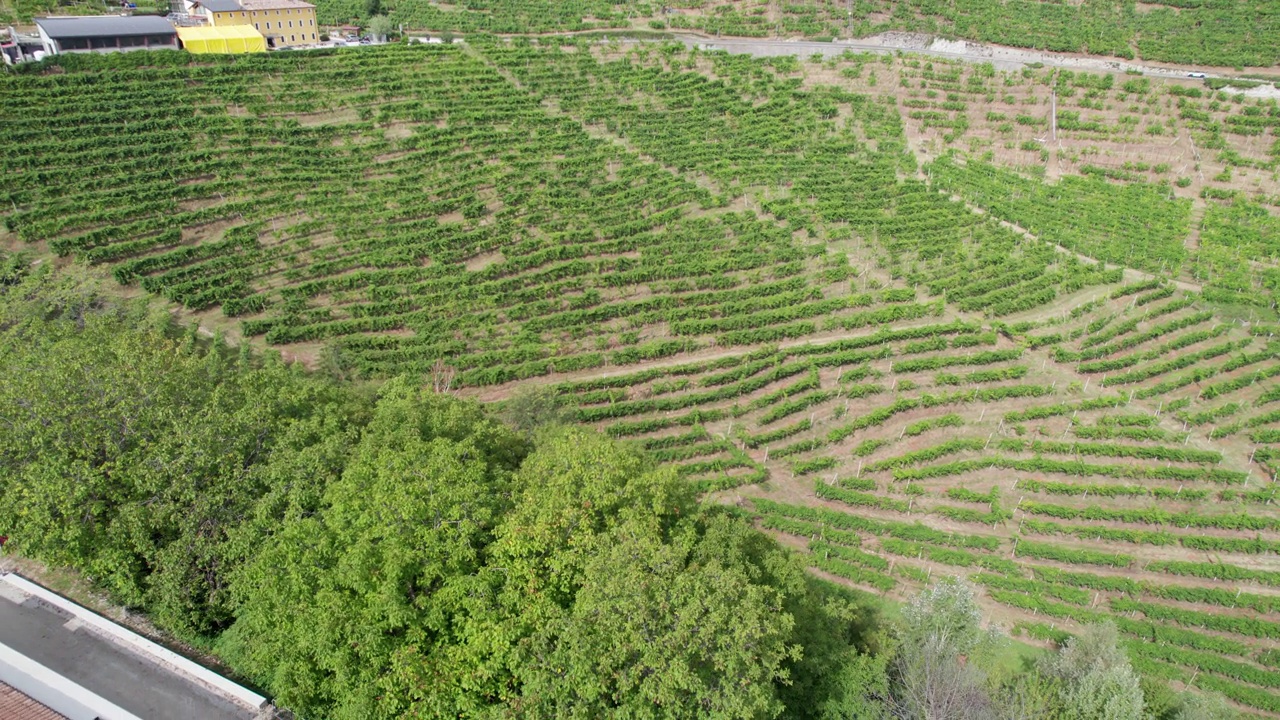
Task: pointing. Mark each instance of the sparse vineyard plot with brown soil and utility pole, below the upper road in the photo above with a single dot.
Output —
(1172, 177)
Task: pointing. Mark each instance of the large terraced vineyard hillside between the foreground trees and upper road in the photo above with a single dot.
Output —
(902, 370)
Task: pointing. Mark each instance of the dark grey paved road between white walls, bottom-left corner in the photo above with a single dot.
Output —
(103, 668)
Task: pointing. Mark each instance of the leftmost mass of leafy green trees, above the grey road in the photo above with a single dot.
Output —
(129, 452)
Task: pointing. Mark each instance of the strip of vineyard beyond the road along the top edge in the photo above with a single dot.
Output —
(1173, 31)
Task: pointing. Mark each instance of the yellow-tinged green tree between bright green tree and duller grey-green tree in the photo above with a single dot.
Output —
(570, 494)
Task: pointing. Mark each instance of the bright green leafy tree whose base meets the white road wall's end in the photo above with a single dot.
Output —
(387, 558)
